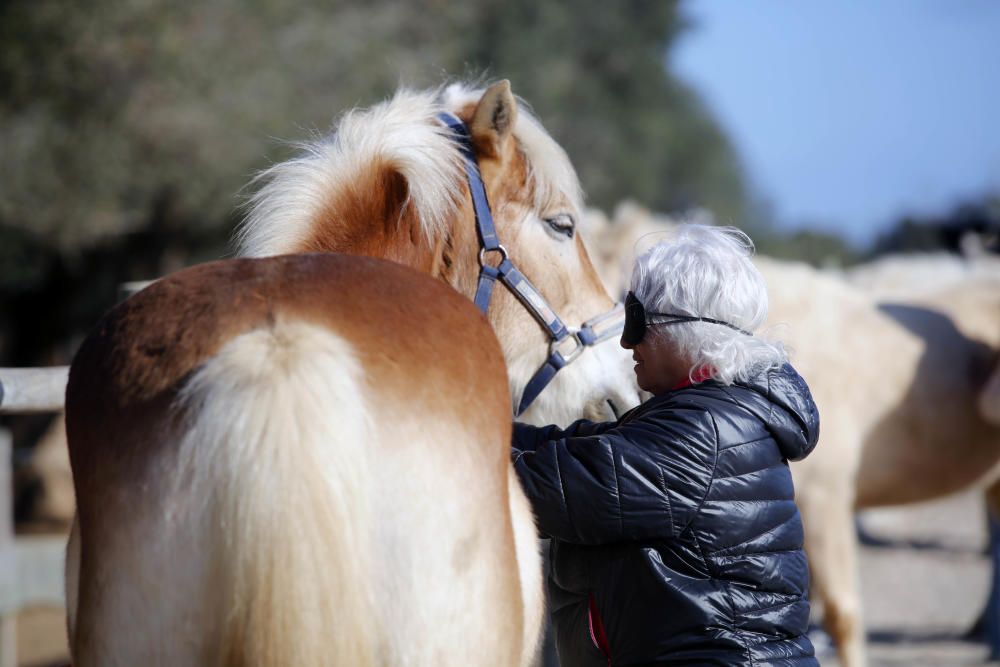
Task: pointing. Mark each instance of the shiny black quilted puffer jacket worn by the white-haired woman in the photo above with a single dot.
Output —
(678, 524)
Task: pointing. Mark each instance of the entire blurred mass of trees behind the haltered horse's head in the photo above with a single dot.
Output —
(113, 107)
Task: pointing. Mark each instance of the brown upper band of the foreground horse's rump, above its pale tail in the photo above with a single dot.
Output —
(143, 349)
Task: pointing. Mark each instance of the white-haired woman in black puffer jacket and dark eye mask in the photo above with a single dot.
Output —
(675, 536)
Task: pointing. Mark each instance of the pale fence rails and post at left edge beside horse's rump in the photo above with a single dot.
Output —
(31, 568)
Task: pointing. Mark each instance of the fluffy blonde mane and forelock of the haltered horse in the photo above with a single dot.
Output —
(404, 134)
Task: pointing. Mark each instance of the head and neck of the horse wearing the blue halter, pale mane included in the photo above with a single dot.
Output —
(391, 183)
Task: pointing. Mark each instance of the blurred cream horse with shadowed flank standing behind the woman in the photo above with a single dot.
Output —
(906, 390)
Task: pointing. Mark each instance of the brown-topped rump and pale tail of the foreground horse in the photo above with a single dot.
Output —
(296, 459)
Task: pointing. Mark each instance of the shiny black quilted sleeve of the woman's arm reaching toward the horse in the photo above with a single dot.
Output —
(635, 481)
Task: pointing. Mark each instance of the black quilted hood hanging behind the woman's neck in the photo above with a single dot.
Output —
(788, 410)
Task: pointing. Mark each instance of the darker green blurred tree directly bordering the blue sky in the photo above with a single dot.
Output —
(595, 73)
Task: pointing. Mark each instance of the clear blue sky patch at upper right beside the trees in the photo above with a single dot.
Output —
(848, 114)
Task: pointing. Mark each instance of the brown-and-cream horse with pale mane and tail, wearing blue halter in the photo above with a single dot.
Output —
(304, 459)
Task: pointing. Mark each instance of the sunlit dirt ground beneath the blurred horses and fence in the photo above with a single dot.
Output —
(924, 583)
